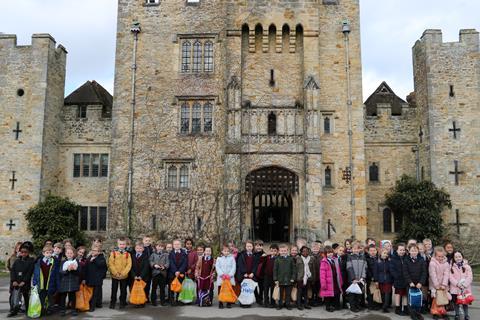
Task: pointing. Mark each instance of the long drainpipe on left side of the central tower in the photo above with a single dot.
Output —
(135, 30)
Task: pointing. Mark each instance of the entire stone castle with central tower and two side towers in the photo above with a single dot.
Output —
(234, 120)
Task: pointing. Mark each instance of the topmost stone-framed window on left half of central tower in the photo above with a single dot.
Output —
(187, 58)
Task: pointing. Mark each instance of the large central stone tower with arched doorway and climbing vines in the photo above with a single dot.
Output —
(240, 123)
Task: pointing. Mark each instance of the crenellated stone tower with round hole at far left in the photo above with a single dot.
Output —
(31, 94)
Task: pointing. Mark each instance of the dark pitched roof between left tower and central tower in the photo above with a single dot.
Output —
(91, 93)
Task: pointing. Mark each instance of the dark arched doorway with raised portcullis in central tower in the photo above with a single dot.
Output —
(271, 191)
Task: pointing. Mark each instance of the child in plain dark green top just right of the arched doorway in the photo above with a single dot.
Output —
(284, 275)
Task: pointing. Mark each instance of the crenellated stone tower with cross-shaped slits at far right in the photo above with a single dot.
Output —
(447, 89)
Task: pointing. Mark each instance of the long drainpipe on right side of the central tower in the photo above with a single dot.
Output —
(346, 32)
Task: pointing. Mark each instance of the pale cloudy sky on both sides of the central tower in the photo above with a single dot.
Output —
(389, 29)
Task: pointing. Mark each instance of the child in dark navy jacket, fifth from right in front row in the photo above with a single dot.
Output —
(383, 274)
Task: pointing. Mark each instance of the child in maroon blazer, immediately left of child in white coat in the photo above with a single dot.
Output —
(204, 274)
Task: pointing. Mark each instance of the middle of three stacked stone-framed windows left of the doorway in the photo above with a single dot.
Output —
(206, 104)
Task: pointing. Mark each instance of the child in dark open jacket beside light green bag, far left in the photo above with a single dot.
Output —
(45, 278)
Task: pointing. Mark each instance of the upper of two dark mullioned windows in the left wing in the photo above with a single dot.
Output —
(79, 165)
